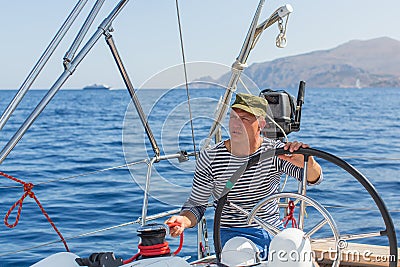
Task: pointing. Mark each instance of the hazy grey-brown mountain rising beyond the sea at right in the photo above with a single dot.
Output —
(371, 63)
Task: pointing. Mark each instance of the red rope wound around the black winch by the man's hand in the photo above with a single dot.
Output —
(156, 250)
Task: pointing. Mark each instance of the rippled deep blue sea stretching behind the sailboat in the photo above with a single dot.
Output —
(87, 156)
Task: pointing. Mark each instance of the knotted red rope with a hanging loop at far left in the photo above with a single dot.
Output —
(28, 192)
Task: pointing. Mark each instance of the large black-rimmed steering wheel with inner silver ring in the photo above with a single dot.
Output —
(389, 231)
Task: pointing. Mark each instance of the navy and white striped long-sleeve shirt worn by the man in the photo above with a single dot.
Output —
(216, 166)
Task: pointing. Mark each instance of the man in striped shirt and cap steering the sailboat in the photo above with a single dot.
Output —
(216, 165)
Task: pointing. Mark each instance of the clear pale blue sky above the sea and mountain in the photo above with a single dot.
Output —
(147, 37)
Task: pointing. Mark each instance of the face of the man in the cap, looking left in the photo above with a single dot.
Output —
(243, 126)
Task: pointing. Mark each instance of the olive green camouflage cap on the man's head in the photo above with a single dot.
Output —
(250, 103)
